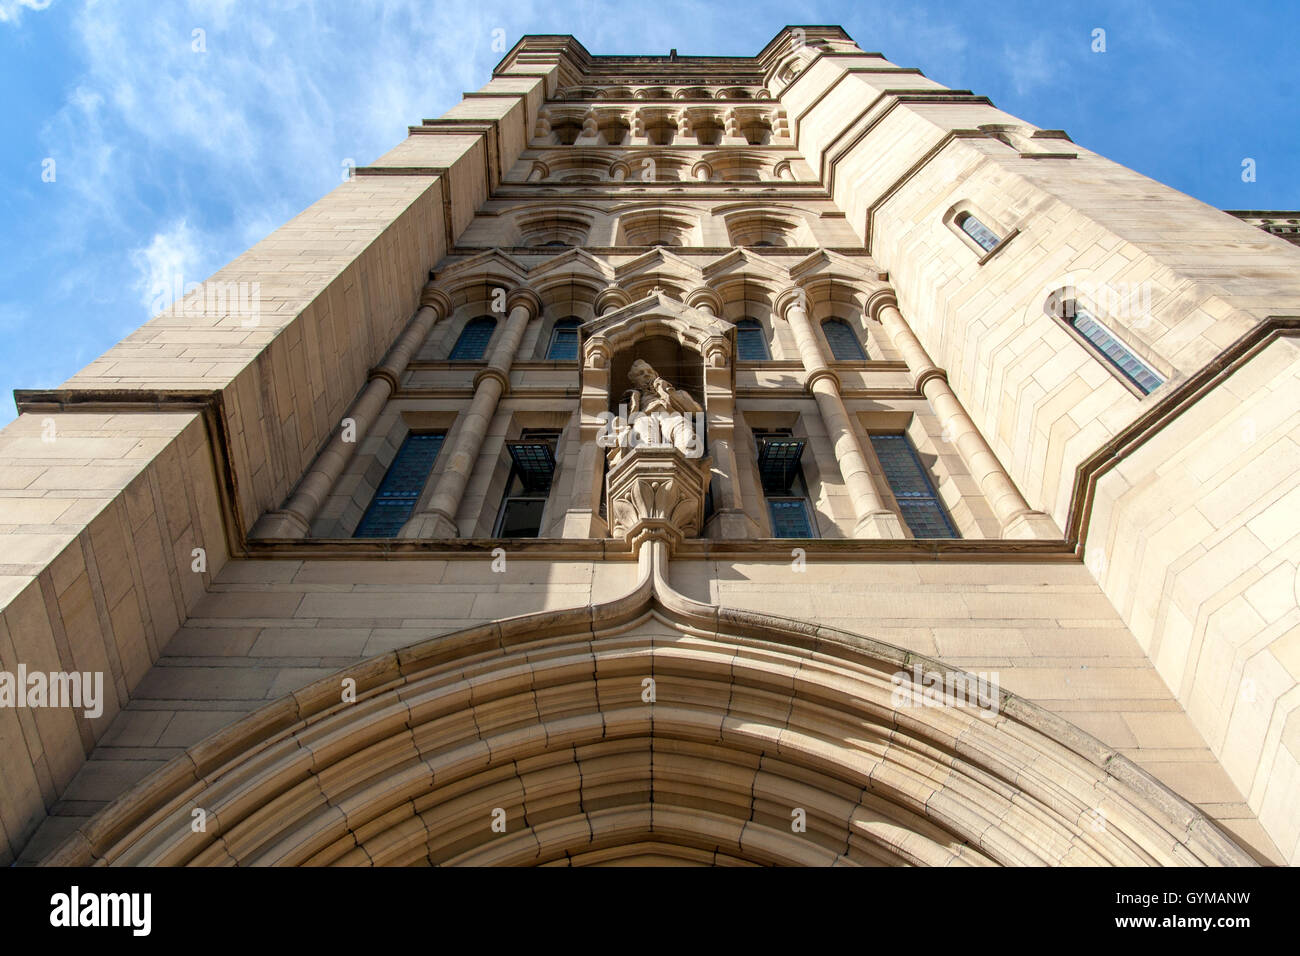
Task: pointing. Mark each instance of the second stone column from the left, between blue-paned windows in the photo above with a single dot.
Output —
(439, 517)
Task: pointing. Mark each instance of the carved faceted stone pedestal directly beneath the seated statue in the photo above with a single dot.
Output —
(656, 492)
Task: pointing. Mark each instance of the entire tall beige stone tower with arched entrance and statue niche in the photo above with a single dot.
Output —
(777, 460)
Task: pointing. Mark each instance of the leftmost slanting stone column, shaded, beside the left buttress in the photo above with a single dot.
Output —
(296, 518)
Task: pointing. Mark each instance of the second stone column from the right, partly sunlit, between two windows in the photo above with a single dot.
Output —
(874, 518)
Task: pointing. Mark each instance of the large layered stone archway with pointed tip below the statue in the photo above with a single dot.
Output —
(548, 724)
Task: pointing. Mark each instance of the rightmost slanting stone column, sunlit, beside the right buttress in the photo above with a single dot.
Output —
(1013, 513)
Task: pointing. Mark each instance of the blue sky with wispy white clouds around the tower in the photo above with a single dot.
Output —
(170, 159)
